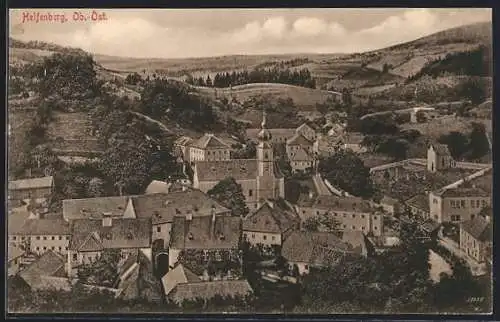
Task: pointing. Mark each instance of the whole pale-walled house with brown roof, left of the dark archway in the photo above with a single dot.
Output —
(90, 237)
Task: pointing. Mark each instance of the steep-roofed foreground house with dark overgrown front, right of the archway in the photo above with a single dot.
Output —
(206, 240)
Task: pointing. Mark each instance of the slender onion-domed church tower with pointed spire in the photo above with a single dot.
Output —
(265, 160)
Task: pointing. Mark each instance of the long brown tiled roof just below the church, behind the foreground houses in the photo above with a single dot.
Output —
(162, 208)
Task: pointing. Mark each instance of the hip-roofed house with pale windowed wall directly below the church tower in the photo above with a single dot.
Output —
(270, 224)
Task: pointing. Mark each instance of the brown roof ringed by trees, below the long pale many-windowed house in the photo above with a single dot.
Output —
(318, 248)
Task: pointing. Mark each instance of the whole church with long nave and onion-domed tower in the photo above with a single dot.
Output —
(260, 178)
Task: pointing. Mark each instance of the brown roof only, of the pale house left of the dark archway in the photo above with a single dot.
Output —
(90, 234)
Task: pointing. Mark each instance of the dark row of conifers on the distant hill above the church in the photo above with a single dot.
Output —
(301, 77)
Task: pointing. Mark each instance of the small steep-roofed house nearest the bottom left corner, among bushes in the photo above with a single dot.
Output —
(47, 273)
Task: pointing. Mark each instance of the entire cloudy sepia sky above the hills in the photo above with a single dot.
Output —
(180, 33)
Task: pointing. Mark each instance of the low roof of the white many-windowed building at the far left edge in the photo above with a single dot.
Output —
(43, 227)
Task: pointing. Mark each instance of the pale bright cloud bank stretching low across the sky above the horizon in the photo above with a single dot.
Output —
(137, 35)
